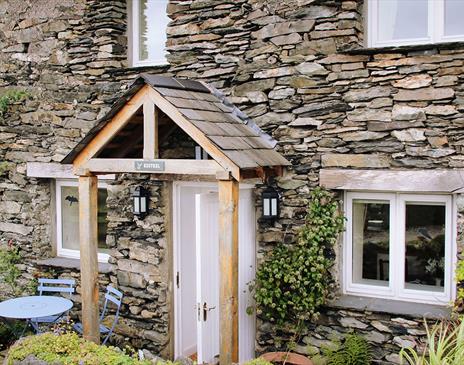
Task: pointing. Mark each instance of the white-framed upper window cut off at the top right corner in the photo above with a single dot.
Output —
(409, 22)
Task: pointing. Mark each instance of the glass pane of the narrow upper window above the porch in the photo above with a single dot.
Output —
(153, 22)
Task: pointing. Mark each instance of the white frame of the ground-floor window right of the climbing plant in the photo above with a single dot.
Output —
(396, 289)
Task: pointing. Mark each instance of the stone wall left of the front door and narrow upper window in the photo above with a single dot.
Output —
(70, 58)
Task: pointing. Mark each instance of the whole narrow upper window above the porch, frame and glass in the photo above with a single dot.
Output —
(148, 21)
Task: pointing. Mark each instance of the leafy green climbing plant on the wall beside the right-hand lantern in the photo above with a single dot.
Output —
(293, 282)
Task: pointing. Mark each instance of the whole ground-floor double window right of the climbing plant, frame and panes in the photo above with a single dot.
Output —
(399, 246)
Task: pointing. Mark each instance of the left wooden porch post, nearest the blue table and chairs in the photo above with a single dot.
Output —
(88, 191)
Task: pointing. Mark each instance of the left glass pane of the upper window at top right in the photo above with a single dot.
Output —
(402, 19)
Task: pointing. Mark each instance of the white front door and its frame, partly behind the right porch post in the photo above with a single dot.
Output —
(197, 269)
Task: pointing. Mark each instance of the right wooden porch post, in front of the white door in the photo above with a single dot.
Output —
(228, 264)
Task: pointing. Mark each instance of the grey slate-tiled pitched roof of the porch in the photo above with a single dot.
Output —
(231, 130)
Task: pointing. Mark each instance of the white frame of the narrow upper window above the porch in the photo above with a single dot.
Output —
(133, 37)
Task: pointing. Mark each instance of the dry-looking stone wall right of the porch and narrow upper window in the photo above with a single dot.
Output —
(300, 70)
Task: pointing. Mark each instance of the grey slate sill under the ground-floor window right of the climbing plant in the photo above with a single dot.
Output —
(417, 310)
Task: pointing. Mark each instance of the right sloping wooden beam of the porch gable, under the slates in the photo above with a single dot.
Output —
(194, 133)
